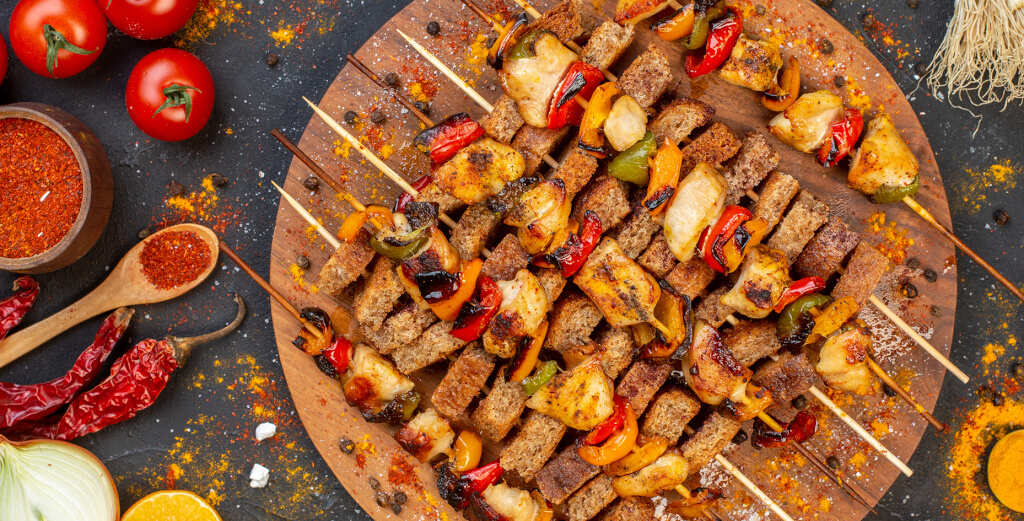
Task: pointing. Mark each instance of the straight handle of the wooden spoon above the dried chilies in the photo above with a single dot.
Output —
(36, 335)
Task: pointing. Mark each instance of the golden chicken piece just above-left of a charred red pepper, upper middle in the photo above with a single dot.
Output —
(540, 214)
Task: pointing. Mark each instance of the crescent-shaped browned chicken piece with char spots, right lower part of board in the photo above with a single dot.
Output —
(711, 371)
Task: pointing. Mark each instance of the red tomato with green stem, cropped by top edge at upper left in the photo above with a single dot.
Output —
(58, 38)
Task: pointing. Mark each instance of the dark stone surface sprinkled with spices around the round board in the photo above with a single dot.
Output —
(203, 423)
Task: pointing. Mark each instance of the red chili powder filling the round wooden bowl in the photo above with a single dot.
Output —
(42, 189)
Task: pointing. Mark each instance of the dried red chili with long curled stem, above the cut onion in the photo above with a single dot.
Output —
(136, 382)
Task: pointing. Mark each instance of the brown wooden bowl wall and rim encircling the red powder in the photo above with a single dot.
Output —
(32, 111)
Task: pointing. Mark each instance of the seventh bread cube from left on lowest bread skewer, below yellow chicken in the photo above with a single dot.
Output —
(533, 446)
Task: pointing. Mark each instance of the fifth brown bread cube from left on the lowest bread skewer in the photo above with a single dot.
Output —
(463, 381)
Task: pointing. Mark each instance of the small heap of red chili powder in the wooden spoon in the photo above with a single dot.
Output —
(175, 258)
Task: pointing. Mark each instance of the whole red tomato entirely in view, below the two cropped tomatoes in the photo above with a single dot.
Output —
(170, 95)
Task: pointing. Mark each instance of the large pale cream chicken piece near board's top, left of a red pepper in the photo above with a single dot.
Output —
(532, 80)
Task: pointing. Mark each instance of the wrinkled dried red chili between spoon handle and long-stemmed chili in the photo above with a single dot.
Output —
(24, 403)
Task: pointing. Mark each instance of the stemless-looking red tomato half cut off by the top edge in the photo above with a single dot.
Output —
(149, 20)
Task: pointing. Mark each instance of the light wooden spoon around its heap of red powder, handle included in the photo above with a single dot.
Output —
(126, 286)
